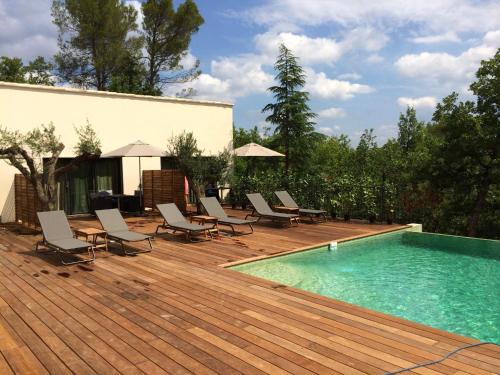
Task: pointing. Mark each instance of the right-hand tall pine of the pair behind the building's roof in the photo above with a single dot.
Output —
(167, 34)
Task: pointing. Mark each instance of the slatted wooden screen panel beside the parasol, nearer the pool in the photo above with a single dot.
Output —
(163, 186)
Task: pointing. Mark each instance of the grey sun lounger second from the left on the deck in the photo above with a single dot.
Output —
(117, 229)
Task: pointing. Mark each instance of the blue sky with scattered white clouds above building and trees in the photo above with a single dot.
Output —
(364, 60)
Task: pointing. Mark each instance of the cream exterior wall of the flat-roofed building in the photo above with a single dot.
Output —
(118, 119)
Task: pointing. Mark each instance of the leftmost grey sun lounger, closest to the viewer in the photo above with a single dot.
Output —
(57, 236)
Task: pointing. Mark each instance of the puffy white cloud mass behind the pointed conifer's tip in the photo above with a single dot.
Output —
(237, 76)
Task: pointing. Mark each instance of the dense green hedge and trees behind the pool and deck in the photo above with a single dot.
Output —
(444, 174)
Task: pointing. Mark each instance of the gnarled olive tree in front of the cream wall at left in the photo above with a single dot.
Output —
(35, 155)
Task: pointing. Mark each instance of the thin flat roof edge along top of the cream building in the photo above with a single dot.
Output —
(70, 90)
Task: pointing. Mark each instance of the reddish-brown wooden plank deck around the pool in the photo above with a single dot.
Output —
(176, 311)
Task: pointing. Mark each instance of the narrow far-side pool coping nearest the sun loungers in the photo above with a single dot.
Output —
(408, 227)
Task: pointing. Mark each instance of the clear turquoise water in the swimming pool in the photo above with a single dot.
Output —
(451, 283)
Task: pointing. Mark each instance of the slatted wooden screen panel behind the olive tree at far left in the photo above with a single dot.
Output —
(26, 202)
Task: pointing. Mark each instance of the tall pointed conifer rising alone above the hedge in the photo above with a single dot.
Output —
(290, 113)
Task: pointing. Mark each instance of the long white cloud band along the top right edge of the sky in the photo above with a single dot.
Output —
(434, 16)
